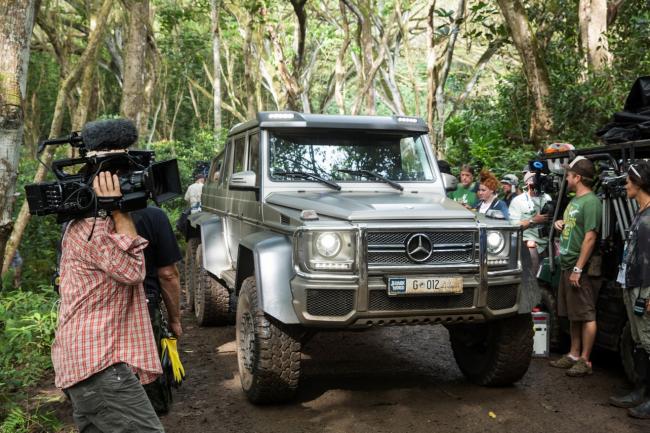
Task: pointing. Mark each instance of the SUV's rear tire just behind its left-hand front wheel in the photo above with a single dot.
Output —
(211, 298)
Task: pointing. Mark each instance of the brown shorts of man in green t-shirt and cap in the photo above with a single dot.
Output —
(577, 303)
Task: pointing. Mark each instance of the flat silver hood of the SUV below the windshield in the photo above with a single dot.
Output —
(373, 206)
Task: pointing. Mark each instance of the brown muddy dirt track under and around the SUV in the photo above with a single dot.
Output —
(400, 379)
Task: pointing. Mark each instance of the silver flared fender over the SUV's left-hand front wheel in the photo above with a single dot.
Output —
(270, 257)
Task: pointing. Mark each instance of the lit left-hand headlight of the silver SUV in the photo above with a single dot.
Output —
(326, 250)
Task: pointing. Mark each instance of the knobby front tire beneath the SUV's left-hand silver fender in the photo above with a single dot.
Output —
(268, 352)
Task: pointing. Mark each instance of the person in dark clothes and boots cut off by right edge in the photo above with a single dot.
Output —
(634, 276)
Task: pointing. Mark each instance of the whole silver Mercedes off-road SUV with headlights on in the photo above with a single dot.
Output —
(315, 222)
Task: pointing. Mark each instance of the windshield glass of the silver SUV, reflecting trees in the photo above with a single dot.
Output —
(324, 153)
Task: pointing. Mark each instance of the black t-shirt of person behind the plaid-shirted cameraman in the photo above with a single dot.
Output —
(152, 224)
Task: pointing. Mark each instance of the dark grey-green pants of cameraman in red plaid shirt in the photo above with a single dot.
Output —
(113, 401)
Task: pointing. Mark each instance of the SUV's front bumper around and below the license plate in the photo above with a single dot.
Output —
(323, 303)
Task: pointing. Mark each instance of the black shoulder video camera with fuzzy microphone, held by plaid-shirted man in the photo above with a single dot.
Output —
(103, 147)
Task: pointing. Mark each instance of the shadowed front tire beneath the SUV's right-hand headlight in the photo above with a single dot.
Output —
(496, 353)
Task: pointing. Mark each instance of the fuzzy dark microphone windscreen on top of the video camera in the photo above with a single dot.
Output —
(109, 134)
